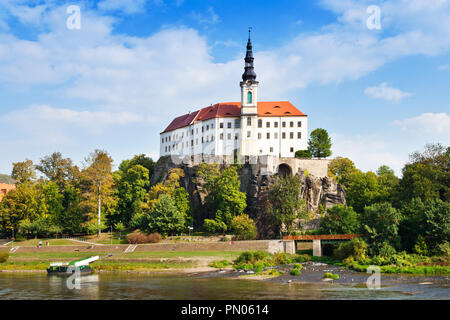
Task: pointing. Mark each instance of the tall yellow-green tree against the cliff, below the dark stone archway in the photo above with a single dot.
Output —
(286, 207)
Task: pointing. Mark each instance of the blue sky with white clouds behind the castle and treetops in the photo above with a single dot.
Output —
(382, 91)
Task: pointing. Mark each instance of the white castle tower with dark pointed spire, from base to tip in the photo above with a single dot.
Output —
(249, 105)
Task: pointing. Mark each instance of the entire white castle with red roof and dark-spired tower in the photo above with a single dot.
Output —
(247, 128)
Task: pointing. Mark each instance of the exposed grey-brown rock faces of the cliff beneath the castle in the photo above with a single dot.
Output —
(316, 191)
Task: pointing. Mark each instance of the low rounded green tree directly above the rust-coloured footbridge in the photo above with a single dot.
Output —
(339, 219)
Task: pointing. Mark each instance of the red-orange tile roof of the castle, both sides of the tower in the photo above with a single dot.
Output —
(233, 109)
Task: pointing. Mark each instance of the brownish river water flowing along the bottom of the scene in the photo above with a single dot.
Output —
(109, 286)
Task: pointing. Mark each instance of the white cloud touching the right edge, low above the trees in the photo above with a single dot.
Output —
(436, 124)
